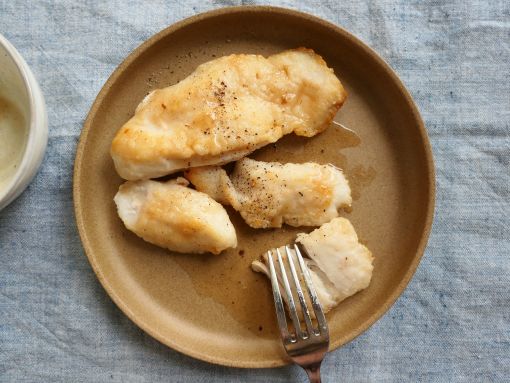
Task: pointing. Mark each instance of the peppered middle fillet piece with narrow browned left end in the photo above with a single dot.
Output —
(268, 194)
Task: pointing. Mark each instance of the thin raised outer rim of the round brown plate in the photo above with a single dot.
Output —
(133, 55)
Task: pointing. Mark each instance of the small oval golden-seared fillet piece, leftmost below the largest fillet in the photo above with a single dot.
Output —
(174, 216)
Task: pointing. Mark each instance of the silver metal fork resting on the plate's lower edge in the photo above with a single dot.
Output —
(305, 347)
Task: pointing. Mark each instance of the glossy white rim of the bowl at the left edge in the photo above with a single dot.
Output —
(10, 191)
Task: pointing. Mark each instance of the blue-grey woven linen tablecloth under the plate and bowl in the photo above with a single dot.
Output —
(452, 324)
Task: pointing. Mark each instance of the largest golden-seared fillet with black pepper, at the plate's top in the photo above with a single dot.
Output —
(225, 109)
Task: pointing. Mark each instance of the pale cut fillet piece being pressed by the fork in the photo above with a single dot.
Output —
(339, 265)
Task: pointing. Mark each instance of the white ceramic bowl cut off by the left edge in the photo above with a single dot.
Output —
(19, 86)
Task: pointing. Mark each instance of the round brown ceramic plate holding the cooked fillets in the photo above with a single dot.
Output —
(214, 307)
